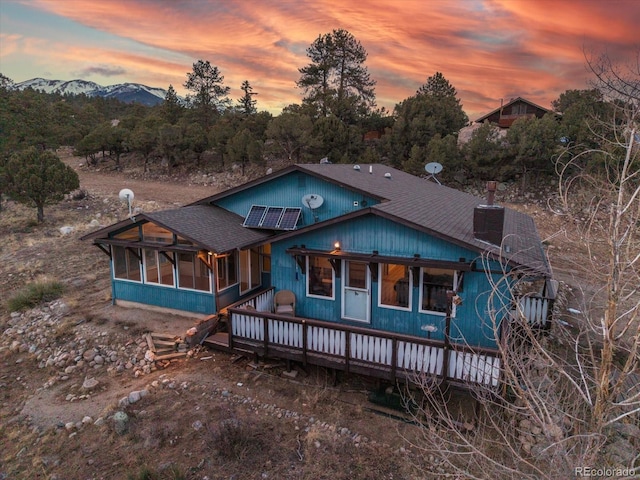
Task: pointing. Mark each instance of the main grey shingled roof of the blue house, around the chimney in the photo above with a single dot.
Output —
(425, 205)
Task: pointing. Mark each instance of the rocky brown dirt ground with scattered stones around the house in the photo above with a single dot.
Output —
(83, 397)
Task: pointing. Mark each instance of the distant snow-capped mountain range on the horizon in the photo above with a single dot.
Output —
(125, 92)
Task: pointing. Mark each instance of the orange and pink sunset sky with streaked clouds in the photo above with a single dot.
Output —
(488, 49)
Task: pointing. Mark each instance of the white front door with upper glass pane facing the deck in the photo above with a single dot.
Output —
(356, 291)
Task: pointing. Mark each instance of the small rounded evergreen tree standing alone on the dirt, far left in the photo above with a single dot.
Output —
(38, 178)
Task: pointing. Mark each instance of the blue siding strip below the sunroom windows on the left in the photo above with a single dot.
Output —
(166, 297)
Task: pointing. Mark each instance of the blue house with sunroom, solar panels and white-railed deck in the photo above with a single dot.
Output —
(390, 274)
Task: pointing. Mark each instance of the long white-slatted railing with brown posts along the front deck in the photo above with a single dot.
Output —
(359, 350)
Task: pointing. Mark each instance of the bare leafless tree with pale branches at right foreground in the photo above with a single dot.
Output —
(569, 400)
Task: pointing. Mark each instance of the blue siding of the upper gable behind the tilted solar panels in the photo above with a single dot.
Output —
(288, 190)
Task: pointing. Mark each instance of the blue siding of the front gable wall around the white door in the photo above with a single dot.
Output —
(365, 234)
